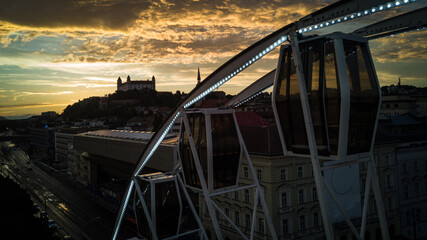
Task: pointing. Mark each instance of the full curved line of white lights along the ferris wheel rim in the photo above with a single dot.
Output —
(157, 139)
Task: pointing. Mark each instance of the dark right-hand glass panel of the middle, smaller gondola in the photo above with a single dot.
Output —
(225, 150)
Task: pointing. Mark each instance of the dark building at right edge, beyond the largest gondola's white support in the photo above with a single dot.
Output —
(401, 145)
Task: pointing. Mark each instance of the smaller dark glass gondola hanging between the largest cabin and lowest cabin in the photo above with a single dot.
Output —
(218, 149)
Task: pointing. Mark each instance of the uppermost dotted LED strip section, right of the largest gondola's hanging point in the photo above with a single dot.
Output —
(355, 15)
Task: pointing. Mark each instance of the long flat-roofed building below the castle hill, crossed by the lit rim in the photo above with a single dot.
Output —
(106, 158)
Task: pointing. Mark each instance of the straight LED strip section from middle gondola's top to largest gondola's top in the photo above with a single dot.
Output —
(238, 70)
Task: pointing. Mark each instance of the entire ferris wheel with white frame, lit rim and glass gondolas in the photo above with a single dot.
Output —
(326, 100)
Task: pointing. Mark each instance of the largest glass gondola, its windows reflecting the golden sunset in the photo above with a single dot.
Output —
(343, 96)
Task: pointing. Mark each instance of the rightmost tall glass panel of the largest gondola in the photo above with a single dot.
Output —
(364, 98)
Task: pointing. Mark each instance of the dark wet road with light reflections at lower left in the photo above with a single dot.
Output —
(75, 214)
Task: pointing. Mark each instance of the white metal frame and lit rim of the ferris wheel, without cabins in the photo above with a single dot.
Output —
(334, 14)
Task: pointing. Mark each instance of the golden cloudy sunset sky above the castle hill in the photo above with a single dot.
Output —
(54, 53)
